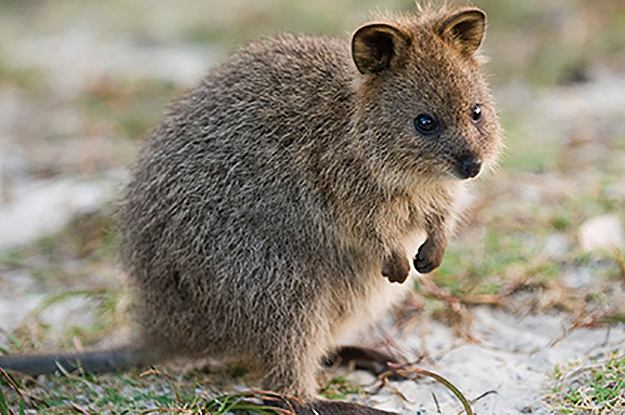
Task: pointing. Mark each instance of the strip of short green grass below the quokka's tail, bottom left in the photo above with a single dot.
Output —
(149, 392)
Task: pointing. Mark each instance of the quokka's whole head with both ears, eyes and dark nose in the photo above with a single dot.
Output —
(426, 111)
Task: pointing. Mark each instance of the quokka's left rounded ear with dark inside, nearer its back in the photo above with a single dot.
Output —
(376, 46)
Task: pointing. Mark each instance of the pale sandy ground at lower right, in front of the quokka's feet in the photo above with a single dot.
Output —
(513, 358)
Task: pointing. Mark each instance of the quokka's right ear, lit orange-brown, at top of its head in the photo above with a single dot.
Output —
(467, 28)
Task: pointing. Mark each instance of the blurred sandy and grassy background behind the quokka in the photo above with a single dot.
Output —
(82, 82)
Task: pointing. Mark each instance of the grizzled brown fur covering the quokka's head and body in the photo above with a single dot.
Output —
(268, 203)
